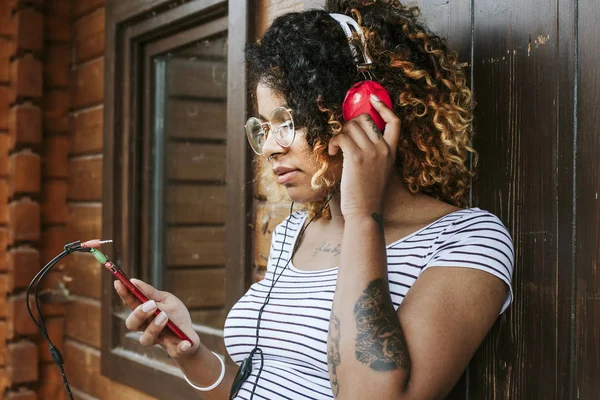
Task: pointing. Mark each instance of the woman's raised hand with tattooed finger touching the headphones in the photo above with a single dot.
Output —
(369, 157)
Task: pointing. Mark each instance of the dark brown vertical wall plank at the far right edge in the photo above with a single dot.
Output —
(587, 362)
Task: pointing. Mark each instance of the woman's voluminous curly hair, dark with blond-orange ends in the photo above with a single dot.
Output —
(305, 57)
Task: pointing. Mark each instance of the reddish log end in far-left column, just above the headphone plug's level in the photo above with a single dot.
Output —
(23, 221)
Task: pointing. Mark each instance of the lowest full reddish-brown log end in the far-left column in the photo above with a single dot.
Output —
(21, 362)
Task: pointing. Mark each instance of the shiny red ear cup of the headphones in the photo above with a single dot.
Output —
(357, 101)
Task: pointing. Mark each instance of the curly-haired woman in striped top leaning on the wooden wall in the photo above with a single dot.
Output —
(382, 286)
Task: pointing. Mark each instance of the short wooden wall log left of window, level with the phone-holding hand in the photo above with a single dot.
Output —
(83, 321)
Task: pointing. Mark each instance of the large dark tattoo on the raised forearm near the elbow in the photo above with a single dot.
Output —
(380, 342)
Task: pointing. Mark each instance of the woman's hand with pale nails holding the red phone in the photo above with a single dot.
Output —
(142, 318)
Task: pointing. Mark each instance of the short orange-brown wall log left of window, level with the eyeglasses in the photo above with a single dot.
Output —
(87, 131)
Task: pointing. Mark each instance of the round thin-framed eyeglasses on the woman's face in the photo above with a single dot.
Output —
(280, 125)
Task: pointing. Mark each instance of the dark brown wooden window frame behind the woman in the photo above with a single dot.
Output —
(131, 25)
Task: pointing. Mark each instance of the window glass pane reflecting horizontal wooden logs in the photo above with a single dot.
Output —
(189, 188)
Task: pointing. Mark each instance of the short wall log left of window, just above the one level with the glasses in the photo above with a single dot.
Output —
(87, 85)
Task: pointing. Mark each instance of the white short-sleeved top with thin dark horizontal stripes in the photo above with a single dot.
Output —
(294, 324)
